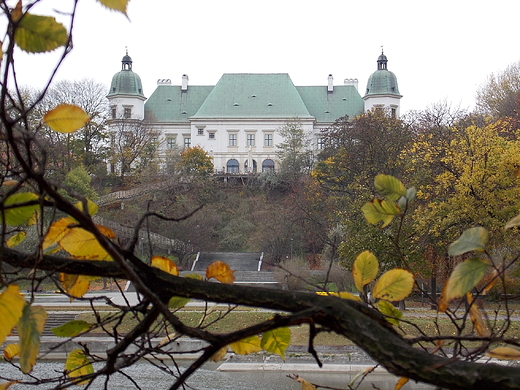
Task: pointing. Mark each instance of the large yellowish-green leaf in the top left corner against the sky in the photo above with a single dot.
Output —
(39, 34)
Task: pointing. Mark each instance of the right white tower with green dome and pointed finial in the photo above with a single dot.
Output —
(382, 91)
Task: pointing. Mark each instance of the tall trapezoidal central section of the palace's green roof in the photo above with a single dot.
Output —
(253, 96)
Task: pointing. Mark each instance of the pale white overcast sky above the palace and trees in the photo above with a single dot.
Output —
(443, 49)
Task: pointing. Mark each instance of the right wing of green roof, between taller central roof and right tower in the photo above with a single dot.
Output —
(326, 106)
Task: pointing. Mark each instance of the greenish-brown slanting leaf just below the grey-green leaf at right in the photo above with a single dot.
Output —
(463, 279)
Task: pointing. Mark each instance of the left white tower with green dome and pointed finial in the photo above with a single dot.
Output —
(126, 98)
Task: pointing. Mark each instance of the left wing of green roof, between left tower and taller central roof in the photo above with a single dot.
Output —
(169, 104)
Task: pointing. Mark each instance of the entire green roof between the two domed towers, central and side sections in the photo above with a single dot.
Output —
(255, 96)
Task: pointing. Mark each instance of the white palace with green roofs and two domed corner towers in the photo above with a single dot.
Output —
(236, 120)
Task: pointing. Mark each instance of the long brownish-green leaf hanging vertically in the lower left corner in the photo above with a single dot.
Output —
(30, 328)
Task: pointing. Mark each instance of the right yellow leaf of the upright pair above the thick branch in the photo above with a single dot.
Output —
(394, 285)
